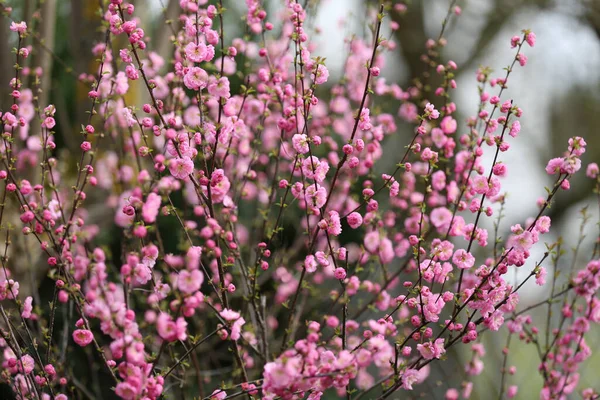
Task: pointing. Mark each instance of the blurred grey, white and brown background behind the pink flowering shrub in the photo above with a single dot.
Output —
(559, 91)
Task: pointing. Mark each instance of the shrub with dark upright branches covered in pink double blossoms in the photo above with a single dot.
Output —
(261, 251)
